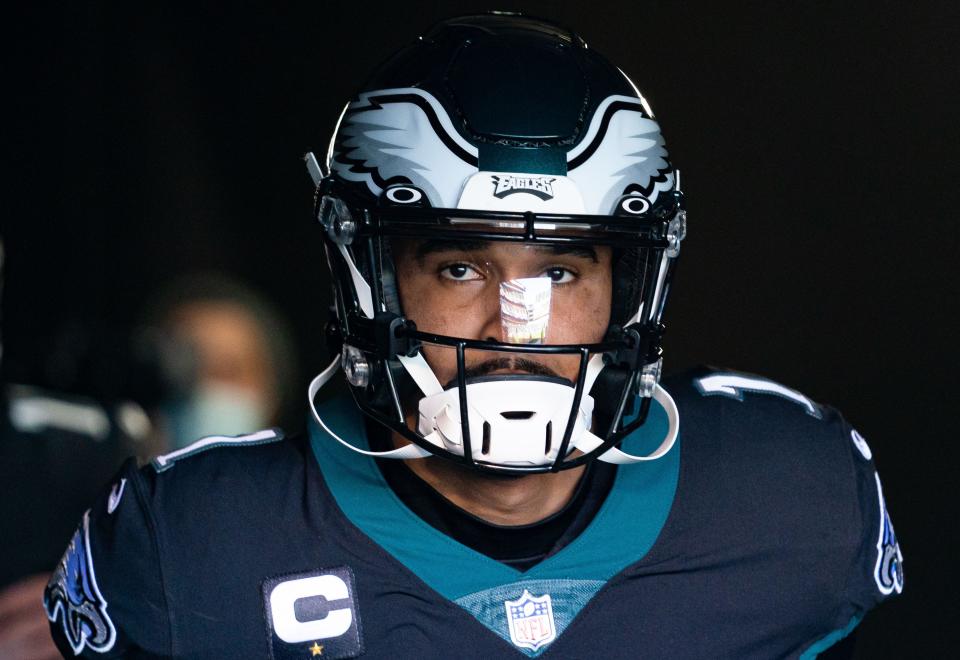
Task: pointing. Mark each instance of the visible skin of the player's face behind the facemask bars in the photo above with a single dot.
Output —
(453, 288)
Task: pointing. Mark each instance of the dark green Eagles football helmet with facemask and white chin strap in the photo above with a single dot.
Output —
(500, 129)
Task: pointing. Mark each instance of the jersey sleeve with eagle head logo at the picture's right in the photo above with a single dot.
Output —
(877, 570)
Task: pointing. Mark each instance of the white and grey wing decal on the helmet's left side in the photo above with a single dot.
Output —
(403, 132)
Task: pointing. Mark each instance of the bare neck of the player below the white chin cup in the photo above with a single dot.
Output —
(508, 501)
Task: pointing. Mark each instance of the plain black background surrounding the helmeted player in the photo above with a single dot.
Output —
(817, 143)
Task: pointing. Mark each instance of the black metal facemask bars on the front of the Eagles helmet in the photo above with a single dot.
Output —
(382, 339)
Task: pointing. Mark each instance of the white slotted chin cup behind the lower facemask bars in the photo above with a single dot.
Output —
(512, 422)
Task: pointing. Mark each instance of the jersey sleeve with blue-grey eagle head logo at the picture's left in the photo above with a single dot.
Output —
(105, 598)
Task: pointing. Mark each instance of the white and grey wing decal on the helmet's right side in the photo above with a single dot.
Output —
(623, 151)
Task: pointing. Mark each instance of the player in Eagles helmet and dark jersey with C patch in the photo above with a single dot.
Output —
(511, 477)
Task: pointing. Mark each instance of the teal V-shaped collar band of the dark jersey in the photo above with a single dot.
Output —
(622, 532)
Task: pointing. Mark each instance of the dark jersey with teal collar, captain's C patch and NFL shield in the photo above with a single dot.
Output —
(761, 534)
